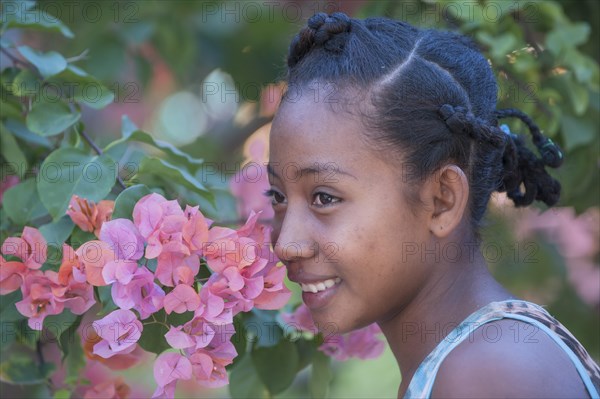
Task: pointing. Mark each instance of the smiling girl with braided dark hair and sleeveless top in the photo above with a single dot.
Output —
(384, 154)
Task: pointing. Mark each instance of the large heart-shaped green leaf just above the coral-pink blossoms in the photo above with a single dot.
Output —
(69, 171)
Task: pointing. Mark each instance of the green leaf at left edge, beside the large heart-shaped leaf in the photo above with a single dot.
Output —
(22, 203)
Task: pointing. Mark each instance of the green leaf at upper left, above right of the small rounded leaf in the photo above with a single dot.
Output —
(83, 88)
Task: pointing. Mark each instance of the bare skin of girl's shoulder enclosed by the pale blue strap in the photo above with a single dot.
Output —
(508, 366)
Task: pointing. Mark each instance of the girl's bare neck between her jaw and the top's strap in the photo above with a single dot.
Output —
(456, 291)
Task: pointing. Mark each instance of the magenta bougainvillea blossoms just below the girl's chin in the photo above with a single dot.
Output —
(363, 343)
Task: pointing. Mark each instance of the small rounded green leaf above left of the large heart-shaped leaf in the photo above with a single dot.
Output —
(51, 118)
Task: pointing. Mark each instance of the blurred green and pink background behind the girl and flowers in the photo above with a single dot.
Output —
(204, 77)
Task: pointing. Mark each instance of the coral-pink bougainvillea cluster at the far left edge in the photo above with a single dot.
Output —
(44, 293)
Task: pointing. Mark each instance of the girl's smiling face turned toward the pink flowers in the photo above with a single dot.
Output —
(342, 224)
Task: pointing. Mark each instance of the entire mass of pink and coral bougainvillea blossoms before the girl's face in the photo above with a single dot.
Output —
(243, 274)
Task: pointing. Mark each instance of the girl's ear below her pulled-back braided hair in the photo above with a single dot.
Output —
(447, 193)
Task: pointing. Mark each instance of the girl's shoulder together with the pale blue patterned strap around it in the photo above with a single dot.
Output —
(511, 349)
